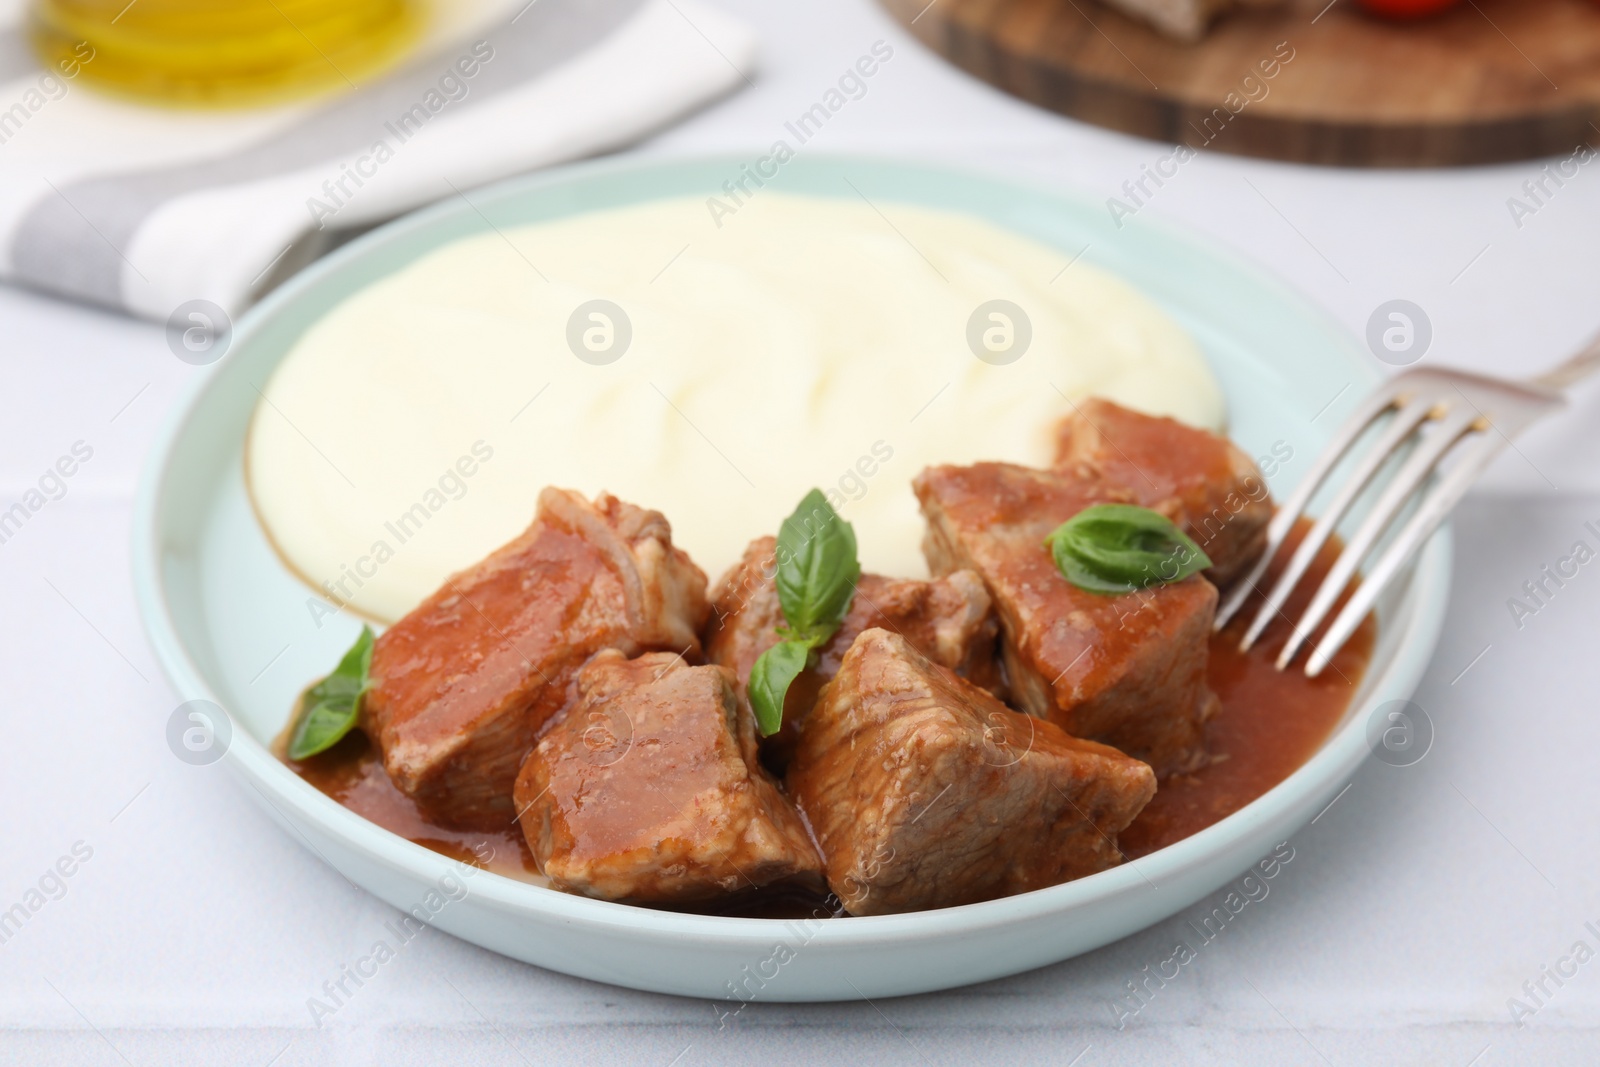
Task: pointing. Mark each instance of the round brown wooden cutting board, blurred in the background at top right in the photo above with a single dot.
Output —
(1487, 82)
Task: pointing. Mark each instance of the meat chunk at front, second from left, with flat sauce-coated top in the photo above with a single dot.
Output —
(650, 791)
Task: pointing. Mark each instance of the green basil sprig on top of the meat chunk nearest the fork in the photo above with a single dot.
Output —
(1119, 549)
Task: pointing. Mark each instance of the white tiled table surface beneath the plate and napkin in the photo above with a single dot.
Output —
(1415, 908)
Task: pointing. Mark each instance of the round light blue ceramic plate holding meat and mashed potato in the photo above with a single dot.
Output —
(220, 607)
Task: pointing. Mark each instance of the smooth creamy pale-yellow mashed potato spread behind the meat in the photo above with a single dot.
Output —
(711, 372)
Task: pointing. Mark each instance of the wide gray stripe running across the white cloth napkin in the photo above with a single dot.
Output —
(73, 241)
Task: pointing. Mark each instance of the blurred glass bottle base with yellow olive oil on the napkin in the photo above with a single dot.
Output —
(223, 54)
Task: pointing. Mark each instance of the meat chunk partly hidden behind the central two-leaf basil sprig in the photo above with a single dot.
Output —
(946, 620)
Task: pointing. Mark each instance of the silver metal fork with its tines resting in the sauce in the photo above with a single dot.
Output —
(1436, 414)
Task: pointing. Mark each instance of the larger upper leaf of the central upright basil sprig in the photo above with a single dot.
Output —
(817, 567)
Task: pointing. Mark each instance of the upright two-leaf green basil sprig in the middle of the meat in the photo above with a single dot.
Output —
(817, 581)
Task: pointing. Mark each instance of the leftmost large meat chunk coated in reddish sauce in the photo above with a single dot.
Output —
(466, 681)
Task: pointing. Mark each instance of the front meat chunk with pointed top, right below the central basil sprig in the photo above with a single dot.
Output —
(929, 793)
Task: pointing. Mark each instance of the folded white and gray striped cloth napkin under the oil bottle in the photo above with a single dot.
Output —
(148, 209)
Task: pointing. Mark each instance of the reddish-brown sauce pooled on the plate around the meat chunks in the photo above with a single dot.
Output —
(1270, 724)
